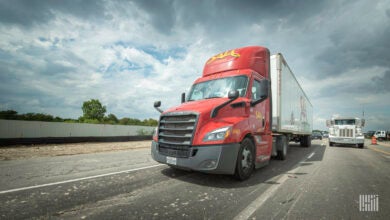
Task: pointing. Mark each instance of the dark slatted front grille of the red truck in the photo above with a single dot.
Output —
(175, 134)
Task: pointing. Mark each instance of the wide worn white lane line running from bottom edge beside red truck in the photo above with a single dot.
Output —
(257, 203)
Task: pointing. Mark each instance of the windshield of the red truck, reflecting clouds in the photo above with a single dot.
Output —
(218, 88)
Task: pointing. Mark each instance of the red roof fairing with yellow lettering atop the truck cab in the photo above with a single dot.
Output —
(252, 57)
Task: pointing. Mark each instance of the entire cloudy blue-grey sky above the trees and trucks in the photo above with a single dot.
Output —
(54, 55)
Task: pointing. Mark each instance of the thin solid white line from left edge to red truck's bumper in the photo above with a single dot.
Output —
(78, 179)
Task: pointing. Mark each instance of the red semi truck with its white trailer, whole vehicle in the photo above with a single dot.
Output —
(244, 109)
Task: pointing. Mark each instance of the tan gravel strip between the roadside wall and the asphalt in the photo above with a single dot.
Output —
(52, 150)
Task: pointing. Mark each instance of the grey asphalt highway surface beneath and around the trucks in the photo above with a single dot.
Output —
(319, 182)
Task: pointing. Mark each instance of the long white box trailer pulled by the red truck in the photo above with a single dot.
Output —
(292, 112)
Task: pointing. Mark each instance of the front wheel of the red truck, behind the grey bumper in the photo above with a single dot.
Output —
(245, 160)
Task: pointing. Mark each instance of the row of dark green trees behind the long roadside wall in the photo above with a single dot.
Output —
(93, 112)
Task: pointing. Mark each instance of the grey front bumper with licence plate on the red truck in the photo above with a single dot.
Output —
(218, 159)
